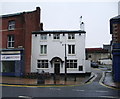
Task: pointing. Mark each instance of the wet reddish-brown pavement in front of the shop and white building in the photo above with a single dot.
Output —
(78, 80)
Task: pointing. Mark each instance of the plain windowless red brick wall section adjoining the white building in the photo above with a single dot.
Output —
(32, 23)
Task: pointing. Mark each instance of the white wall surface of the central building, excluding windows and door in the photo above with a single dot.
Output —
(57, 49)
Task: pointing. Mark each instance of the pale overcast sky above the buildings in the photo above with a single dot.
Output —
(65, 15)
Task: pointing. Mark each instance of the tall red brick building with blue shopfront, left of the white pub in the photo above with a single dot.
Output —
(15, 34)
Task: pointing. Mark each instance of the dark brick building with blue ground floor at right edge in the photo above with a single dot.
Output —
(115, 32)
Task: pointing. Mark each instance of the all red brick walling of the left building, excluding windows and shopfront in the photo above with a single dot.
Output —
(25, 23)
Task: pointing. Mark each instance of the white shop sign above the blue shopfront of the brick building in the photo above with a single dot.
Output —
(10, 57)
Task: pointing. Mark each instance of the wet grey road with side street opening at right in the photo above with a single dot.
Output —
(91, 89)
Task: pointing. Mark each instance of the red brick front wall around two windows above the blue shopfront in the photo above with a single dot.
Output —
(18, 32)
